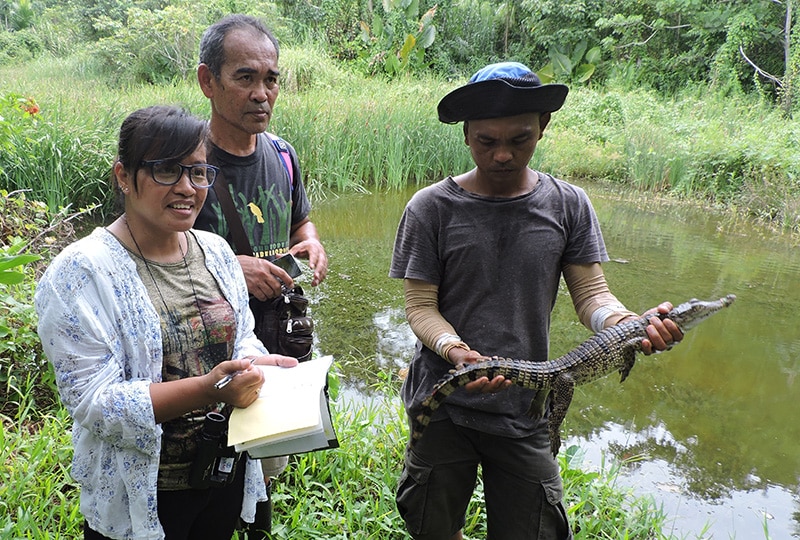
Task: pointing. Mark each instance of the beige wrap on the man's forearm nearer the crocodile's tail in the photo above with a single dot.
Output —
(422, 312)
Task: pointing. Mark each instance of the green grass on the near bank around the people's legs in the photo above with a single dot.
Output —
(346, 493)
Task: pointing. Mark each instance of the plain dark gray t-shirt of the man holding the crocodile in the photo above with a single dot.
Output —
(497, 263)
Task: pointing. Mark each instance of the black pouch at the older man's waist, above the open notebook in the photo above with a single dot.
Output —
(283, 325)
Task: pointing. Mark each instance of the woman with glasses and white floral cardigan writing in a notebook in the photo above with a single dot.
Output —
(140, 320)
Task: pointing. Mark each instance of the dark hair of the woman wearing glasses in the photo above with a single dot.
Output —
(158, 132)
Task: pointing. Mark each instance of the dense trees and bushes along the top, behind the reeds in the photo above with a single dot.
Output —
(662, 44)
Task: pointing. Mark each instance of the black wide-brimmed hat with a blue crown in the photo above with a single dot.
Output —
(498, 90)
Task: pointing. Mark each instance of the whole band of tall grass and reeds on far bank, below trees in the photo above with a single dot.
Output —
(362, 134)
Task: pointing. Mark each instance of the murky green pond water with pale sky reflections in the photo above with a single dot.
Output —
(710, 428)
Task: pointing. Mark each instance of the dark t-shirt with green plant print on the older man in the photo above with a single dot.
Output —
(267, 202)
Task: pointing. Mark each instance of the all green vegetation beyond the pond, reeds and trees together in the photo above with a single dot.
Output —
(684, 96)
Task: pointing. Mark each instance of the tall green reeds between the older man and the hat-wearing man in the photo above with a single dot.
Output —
(368, 135)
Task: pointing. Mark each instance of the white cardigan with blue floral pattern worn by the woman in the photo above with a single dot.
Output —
(103, 337)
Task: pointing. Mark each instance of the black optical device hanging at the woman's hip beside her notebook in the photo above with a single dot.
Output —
(215, 462)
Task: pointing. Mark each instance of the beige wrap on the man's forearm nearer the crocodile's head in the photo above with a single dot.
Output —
(596, 307)
